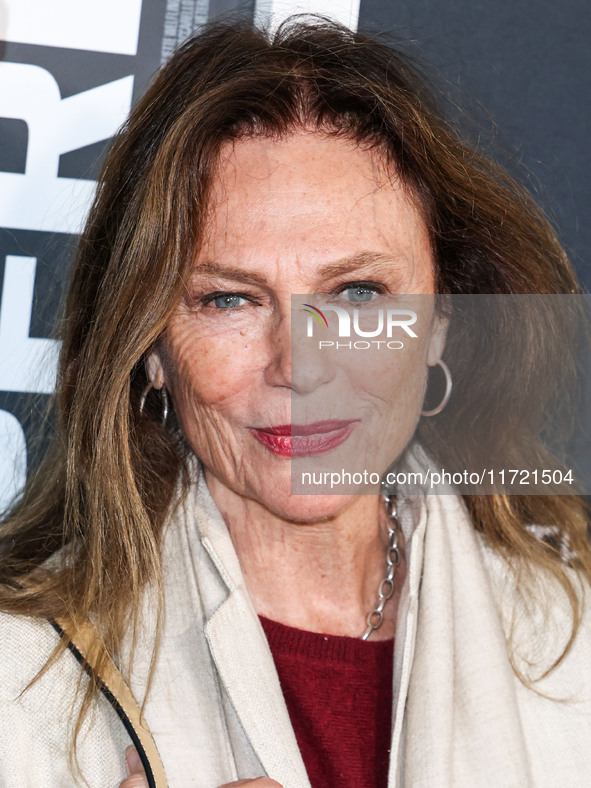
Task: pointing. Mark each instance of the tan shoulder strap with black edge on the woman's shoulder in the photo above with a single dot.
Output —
(120, 696)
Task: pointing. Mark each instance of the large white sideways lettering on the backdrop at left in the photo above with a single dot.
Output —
(38, 199)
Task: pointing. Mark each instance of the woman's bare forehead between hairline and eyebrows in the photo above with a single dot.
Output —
(312, 197)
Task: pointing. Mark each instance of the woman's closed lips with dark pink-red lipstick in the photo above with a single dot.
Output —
(302, 440)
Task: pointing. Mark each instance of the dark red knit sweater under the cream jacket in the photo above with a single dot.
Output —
(338, 692)
